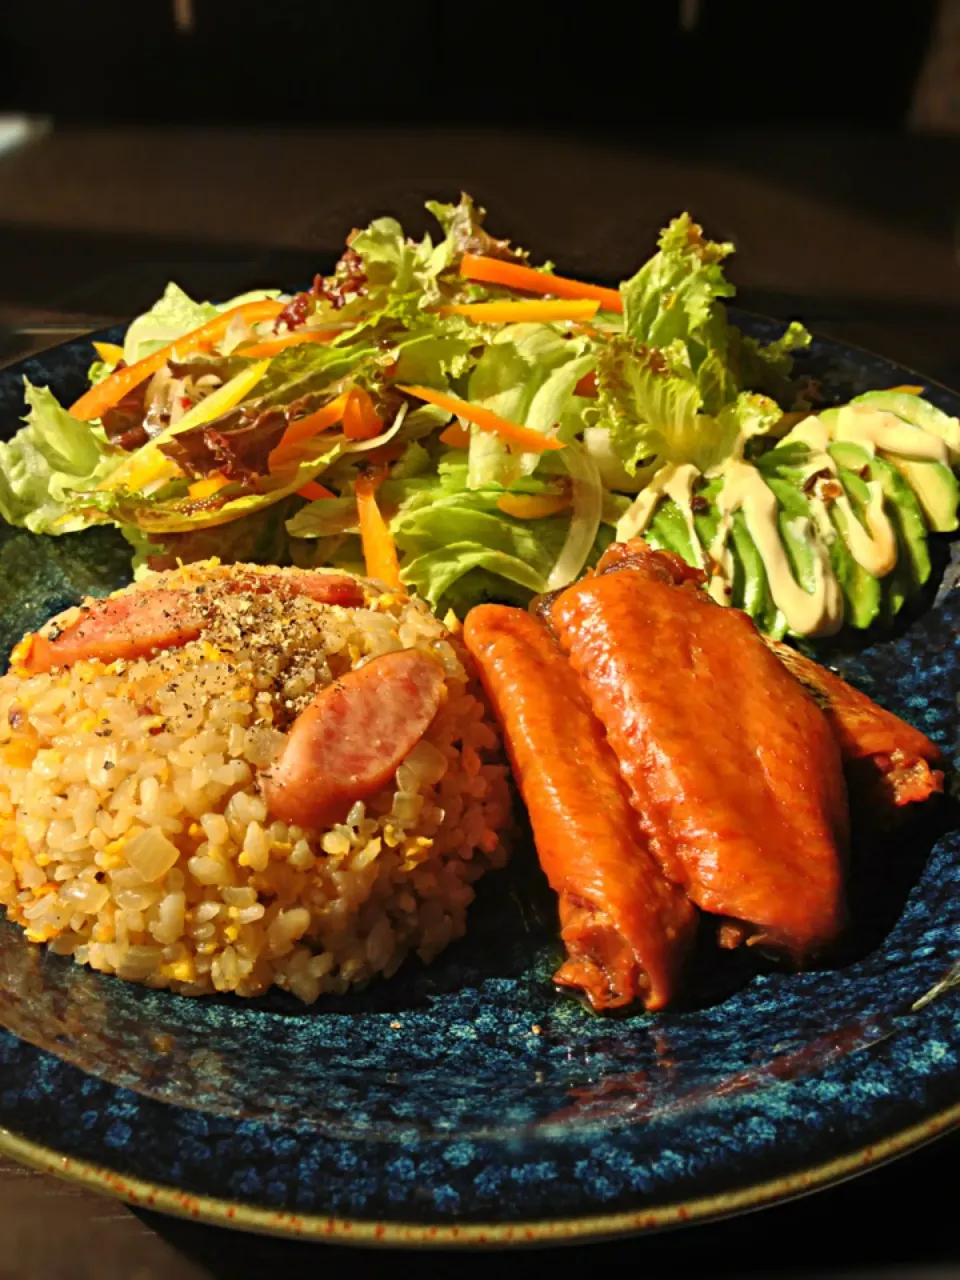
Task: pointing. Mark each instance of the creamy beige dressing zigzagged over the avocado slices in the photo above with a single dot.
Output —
(874, 546)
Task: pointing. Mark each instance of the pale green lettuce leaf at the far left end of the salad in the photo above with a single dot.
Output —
(49, 464)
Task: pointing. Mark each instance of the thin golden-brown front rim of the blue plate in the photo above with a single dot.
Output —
(218, 1212)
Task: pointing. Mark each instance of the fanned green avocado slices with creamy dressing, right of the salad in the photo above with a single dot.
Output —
(835, 513)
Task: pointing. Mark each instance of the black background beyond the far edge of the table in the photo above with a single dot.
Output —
(612, 70)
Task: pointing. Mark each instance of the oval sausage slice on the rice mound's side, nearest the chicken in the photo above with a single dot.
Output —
(350, 742)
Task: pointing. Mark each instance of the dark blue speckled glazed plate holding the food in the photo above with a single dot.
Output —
(469, 1104)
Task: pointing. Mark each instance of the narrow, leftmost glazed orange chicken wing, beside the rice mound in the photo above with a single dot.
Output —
(627, 930)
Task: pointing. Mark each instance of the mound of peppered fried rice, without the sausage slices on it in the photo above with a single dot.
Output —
(135, 836)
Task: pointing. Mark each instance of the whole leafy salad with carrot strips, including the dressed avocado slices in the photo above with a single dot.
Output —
(447, 417)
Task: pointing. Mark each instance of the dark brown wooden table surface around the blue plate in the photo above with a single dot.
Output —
(860, 235)
